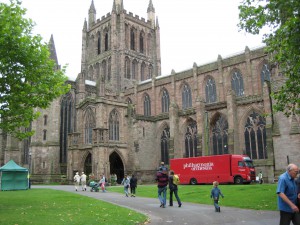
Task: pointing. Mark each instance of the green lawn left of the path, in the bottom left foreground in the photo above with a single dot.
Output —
(45, 206)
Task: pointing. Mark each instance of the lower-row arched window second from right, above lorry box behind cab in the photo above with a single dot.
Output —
(219, 136)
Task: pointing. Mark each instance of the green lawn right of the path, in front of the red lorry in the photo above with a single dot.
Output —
(253, 196)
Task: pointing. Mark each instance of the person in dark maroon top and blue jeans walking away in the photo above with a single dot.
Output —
(162, 183)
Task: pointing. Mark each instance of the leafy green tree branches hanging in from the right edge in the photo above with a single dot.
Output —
(282, 18)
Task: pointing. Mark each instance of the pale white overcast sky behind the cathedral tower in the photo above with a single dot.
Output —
(191, 31)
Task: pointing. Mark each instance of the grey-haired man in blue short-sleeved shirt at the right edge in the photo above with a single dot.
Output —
(287, 196)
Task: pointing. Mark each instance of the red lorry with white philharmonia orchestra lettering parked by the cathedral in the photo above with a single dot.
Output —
(206, 169)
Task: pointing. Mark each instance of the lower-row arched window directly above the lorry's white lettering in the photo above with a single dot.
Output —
(191, 140)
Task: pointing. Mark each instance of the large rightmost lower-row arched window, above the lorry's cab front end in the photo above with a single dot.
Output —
(255, 137)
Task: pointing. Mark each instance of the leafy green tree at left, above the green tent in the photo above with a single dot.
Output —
(28, 78)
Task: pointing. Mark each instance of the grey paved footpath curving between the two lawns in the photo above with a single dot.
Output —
(188, 214)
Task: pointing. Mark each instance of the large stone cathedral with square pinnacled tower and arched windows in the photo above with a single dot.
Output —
(122, 116)
